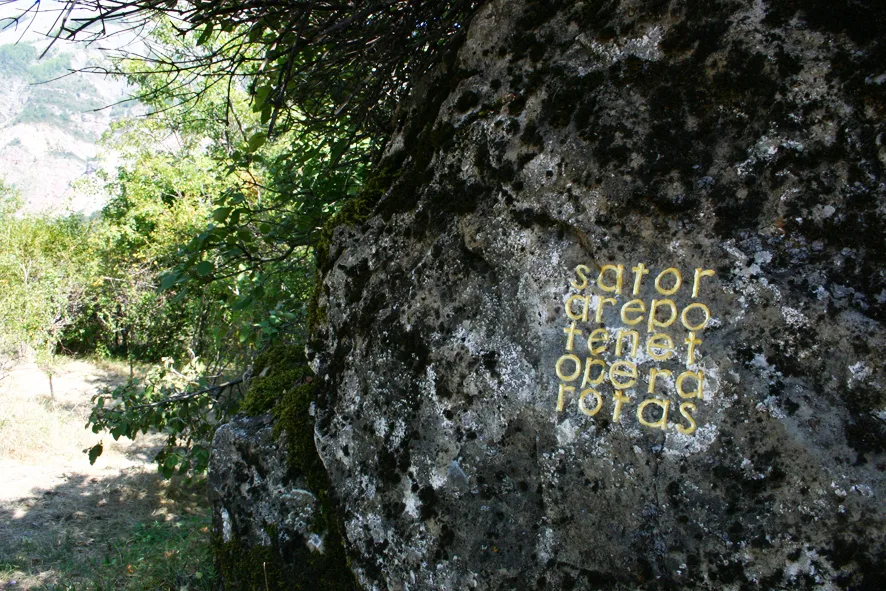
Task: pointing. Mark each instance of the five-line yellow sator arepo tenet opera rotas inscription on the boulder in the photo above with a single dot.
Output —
(588, 374)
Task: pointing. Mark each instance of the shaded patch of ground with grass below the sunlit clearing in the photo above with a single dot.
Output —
(88, 527)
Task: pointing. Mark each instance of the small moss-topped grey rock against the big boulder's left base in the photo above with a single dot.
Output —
(275, 522)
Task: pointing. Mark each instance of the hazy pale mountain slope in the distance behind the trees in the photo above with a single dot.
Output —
(51, 119)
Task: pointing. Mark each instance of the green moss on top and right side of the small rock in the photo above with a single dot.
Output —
(284, 386)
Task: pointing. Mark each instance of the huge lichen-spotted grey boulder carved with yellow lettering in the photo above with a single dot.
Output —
(484, 414)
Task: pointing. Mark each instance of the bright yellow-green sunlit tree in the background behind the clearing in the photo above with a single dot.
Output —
(160, 199)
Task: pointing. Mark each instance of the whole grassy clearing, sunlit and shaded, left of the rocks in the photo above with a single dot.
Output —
(66, 525)
